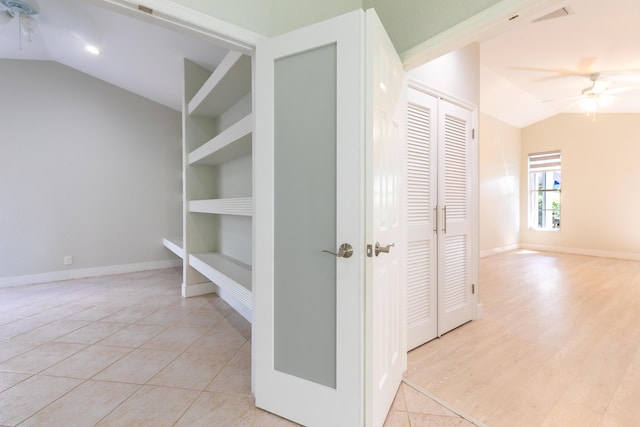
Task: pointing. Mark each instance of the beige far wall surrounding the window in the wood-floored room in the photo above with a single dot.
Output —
(600, 192)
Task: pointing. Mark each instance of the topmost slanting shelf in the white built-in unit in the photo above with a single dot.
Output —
(228, 83)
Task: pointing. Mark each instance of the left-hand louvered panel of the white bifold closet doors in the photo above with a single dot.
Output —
(422, 313)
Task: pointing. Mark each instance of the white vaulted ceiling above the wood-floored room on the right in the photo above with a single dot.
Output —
(524, 69)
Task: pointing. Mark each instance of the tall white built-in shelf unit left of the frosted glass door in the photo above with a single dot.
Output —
(216, 246)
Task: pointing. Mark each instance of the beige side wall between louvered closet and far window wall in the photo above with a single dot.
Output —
(499, 185)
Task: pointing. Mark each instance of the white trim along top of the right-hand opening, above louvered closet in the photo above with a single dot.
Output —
(479, 27)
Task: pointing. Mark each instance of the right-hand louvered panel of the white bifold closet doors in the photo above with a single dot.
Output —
(455, 192)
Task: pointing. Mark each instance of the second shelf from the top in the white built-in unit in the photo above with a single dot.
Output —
(232, 143)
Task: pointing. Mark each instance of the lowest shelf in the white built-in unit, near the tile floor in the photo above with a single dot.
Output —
(231, 276)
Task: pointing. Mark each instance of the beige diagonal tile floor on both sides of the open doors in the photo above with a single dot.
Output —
(128, 350)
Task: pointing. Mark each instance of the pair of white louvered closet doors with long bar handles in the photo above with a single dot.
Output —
(440, 216)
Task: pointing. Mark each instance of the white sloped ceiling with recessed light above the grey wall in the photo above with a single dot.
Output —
(138, 56)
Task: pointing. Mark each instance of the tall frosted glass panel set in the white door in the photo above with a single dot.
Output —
(305, 215)
